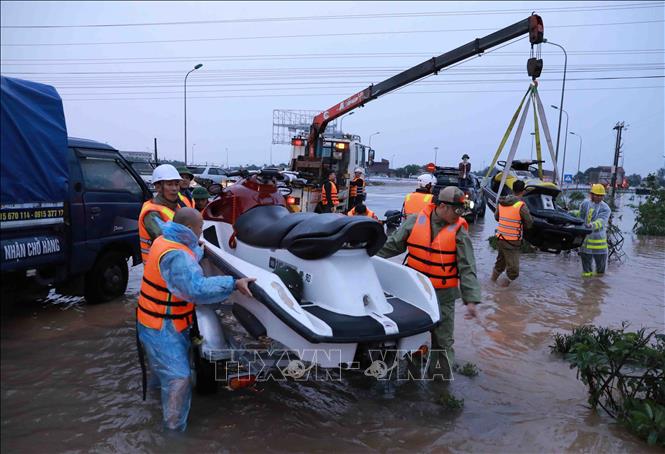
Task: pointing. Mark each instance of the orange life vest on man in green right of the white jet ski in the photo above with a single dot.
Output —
(436, 259)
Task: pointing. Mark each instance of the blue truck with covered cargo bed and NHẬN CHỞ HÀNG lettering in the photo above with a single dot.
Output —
(69, 206)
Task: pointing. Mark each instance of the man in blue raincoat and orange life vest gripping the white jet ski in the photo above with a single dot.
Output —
(173, 282)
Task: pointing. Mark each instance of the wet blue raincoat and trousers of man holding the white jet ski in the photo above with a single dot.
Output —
(167, 350)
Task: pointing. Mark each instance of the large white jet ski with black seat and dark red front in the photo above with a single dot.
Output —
(320, 291)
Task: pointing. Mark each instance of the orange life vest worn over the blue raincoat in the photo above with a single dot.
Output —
(156, 303)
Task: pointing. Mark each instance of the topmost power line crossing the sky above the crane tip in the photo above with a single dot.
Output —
(591, 8)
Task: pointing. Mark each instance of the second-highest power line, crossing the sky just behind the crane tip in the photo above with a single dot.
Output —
(319, 35)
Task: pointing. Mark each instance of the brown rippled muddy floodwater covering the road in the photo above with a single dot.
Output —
(71, 380)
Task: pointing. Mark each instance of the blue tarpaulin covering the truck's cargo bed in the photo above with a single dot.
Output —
(34, 145)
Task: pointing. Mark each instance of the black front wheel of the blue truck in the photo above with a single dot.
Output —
(107, 279)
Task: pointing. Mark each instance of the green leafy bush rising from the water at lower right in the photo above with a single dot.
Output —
(624, 373)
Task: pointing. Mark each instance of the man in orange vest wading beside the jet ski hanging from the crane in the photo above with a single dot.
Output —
(513, 216)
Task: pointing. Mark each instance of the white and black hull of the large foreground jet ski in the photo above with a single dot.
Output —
(348, 300)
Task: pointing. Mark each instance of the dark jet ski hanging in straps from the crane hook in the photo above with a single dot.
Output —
(554, 229)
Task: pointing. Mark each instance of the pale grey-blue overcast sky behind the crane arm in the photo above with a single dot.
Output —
(124, 84)
